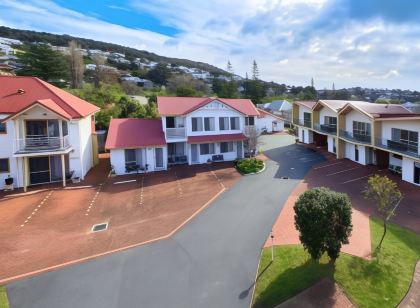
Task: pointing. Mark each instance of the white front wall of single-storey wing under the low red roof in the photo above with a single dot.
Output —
(117, 158)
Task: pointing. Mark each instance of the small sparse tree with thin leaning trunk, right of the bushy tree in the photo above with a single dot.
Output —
(385, 193)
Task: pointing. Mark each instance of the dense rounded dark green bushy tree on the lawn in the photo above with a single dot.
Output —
(323, 219)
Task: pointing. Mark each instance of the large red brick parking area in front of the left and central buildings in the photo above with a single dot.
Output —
(143, 208)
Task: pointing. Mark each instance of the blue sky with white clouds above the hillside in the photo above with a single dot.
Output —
(370, 43)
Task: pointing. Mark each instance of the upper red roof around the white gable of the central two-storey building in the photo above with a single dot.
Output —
(173, 106)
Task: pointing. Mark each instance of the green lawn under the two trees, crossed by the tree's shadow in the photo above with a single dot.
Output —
(380, 282)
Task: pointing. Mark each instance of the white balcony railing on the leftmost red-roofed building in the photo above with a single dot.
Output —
(34, 144)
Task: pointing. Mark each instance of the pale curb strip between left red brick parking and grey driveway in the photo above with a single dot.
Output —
(169, 235)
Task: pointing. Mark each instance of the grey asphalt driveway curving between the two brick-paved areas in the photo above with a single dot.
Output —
(212, 262)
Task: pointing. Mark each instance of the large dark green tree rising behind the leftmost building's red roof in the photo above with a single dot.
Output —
(41, 61)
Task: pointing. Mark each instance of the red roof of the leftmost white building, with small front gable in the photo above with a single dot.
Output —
(34, 90)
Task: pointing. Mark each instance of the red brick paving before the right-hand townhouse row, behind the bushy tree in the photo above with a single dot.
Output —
(351, 178)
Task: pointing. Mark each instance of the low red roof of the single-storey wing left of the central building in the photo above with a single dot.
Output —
(134, 133)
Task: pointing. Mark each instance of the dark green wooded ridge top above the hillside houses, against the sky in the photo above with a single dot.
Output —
(28, 36)
